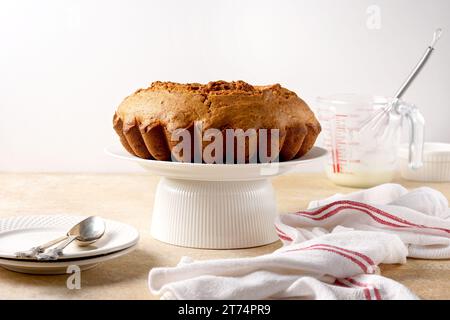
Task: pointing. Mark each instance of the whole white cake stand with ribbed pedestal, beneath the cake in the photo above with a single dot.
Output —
(215, 206)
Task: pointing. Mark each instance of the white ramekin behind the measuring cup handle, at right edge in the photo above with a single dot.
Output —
(436, 163)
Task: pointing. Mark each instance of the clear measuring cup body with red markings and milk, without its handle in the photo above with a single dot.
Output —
(357, 158)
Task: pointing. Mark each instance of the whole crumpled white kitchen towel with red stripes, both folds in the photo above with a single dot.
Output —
(331, 251)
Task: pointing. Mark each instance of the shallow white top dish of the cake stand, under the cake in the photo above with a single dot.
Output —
(216, 172)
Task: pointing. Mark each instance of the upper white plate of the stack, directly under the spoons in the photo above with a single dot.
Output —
(23, 232)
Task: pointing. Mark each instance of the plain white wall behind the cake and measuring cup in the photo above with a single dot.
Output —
(66, 65)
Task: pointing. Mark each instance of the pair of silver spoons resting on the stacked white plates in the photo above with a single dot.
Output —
(85, 232)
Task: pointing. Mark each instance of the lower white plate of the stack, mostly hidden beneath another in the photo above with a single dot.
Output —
(59, 267)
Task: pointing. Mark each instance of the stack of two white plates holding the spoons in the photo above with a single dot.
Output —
(25, 232)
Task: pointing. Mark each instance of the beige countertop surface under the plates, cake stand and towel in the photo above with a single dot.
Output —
(129, 198)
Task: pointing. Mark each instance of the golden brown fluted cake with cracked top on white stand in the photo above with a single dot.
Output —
(146, 119)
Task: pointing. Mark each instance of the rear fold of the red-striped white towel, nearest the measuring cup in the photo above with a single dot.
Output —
(419, 218)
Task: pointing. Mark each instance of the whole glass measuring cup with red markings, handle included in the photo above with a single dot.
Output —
(362, 135)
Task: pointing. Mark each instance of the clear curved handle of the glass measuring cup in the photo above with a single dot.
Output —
(416, 132)
